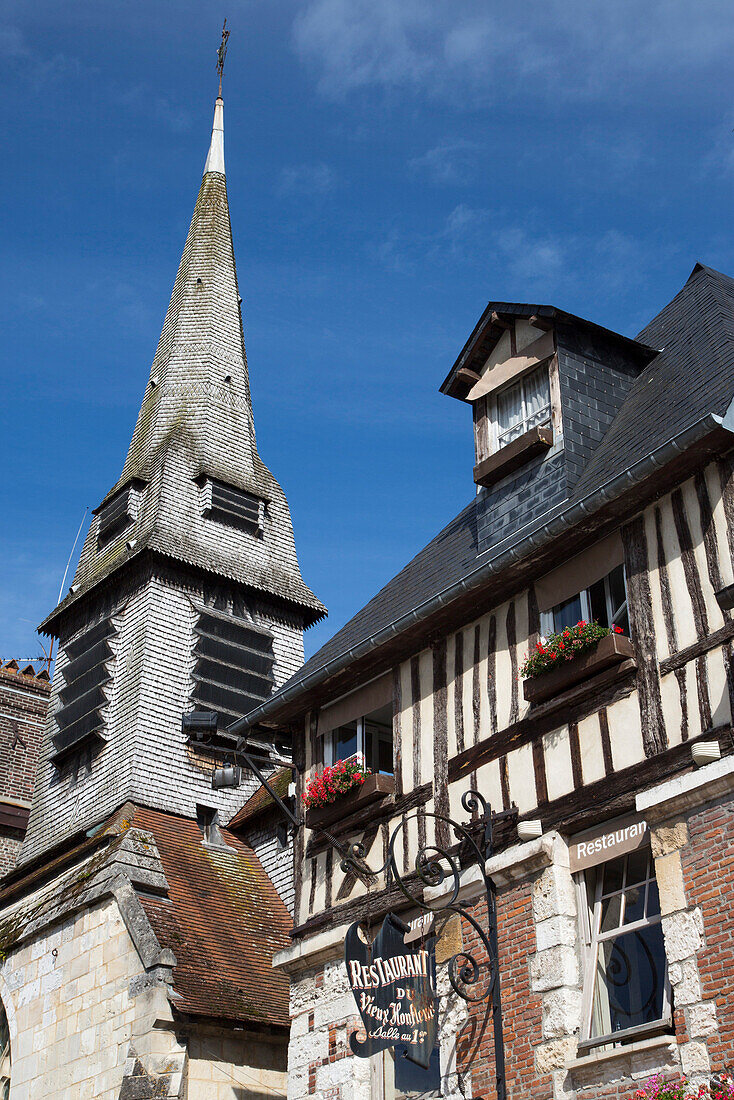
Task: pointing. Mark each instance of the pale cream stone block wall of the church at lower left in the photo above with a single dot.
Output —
(79, 1026)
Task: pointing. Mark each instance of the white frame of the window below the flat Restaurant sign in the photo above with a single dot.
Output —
(593, 938)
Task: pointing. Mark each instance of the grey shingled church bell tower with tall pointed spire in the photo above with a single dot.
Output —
(189, 593)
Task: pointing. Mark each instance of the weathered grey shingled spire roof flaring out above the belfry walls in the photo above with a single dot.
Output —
(196, 421)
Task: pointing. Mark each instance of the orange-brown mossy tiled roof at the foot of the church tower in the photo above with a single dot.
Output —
(224, 921)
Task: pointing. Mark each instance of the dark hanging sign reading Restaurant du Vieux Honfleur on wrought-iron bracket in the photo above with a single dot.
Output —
(392, 983)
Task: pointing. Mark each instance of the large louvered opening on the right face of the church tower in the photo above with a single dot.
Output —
(234, 670)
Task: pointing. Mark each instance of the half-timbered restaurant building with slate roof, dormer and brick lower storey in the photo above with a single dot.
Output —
(604, 493)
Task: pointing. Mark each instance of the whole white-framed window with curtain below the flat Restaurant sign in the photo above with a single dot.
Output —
(626, 989)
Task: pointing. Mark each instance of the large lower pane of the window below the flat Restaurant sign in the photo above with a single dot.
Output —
(630, 981)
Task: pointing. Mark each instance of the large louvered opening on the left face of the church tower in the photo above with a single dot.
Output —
(80, 719)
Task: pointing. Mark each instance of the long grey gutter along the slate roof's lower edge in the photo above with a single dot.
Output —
(541, 537)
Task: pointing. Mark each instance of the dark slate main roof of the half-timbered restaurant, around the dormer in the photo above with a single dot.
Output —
(693, 377)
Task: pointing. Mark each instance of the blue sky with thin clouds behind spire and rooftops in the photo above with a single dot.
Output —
(392, 166)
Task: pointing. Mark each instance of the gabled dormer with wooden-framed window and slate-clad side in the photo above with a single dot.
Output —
(541, 381)
